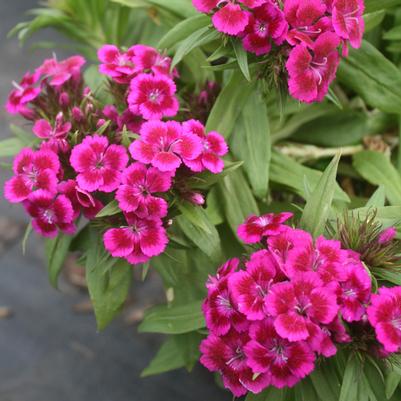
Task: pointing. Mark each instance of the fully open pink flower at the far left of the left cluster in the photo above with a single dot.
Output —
(33, 171)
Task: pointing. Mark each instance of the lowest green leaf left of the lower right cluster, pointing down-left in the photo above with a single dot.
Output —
(169, 357)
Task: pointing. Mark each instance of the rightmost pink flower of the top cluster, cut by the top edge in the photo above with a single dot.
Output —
(348, 21)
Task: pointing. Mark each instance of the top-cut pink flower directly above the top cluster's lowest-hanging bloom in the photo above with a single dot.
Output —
(307, 21)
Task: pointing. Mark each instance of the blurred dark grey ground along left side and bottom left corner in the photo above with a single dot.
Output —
(49, 347)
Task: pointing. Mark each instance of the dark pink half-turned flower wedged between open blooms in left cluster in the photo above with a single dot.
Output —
(80, 199)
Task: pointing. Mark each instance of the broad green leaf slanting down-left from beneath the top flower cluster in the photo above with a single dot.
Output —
(229, 105)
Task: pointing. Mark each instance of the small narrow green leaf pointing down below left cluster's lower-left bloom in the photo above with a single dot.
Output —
(56, 251)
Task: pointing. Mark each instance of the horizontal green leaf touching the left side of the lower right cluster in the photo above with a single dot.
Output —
(173, 320)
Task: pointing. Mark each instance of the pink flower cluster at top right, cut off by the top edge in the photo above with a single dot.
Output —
(310, 32)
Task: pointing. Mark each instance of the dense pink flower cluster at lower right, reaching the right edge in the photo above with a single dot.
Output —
(270, 316)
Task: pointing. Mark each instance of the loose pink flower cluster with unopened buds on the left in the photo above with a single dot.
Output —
(88, 155)
